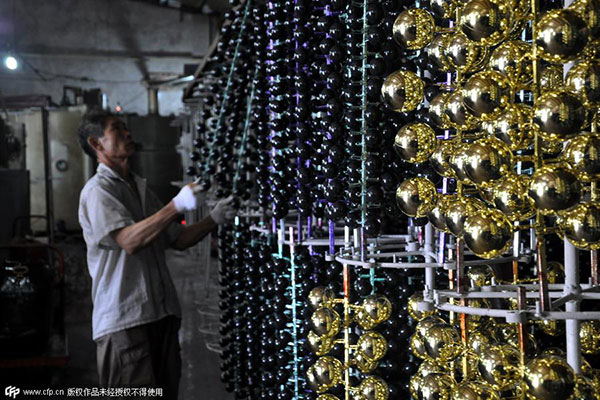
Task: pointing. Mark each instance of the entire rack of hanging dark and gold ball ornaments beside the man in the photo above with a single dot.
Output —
(419, 204)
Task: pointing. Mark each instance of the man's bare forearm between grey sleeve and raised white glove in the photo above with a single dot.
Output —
(134, 237)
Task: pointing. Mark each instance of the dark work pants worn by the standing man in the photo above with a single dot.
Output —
(145, 356)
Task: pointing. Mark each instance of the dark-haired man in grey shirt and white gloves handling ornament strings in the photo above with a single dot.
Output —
(136, 313)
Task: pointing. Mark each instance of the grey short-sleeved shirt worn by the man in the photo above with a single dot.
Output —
(127, 290)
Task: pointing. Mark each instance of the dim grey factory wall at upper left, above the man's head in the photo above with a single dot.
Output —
(110, 44)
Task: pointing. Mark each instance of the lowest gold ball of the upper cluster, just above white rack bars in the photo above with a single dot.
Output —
(488, 233)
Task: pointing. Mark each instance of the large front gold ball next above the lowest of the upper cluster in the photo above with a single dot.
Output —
(487, 161)
